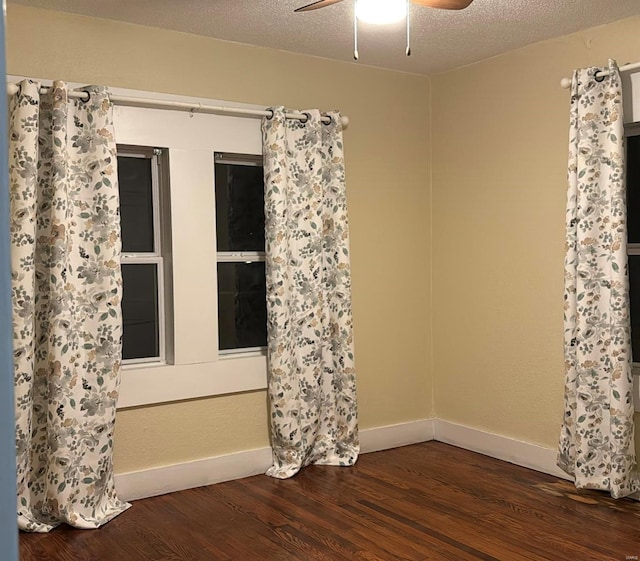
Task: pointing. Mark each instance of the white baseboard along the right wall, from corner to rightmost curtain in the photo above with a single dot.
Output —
(500, 447)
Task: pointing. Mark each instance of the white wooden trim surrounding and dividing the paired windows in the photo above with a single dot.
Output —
(196, 368)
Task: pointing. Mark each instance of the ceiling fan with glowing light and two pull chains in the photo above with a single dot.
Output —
(385, 11)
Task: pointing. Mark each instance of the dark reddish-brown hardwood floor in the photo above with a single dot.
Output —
(424, 502)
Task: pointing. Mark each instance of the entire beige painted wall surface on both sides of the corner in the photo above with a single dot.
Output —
(499, 136)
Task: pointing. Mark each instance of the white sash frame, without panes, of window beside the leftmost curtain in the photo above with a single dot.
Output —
(156, 256)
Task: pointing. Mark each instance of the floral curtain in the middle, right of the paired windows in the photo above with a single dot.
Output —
(312, 389)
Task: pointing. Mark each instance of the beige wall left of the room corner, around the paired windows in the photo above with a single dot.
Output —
(387, 152)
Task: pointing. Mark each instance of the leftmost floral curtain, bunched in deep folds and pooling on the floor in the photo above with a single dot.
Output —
(66, 288)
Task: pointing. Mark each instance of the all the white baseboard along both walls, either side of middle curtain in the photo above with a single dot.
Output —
(167, 479)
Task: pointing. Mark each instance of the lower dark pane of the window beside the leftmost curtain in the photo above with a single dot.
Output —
(141, 326)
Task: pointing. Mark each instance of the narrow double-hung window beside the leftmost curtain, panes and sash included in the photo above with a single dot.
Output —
(142, 180)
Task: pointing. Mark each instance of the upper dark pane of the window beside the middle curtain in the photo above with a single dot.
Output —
(239, 207)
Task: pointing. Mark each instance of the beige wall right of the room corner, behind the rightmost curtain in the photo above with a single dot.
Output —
(499, 137)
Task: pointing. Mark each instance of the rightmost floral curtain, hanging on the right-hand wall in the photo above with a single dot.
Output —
(596, 442)
